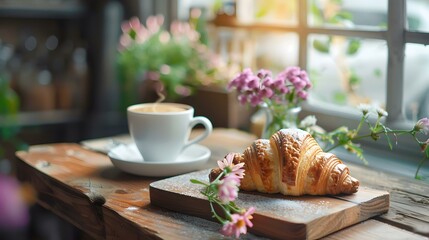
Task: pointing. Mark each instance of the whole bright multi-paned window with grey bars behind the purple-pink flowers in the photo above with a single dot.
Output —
(356, 52)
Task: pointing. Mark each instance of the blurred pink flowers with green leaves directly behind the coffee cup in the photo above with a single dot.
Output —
(174, 62)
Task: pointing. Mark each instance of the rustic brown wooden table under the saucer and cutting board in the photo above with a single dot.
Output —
(82, 186)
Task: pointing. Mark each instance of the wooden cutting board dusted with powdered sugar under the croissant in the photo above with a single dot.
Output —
(276, 216)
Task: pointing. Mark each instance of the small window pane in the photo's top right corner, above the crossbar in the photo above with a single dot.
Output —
(417, 15)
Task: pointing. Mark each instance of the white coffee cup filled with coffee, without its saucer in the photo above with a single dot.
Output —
(161, 130)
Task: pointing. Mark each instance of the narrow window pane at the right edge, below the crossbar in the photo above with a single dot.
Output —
(416, 86)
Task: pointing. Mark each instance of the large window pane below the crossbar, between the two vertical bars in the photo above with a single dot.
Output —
(347, 71)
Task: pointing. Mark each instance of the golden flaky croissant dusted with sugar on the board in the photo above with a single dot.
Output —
(291, 162)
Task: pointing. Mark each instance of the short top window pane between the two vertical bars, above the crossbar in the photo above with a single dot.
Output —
(348, 13)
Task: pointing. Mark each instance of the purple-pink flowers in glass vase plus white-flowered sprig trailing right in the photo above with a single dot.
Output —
(287, 91)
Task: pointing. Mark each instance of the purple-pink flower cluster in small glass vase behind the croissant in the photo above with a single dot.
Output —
(279, 96)
